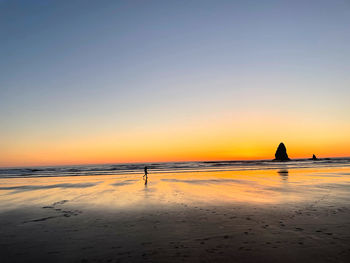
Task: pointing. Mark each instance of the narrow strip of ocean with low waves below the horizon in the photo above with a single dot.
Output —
(168, 167)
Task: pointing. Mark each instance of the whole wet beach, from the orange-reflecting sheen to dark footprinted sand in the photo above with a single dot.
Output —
(300, 215)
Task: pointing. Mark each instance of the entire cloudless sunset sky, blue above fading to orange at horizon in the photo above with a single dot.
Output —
(143, 81)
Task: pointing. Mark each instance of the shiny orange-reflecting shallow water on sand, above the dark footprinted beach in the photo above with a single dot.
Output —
(129, 191)
